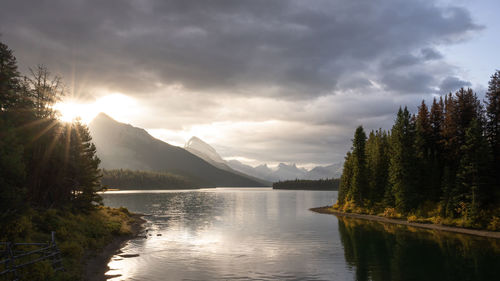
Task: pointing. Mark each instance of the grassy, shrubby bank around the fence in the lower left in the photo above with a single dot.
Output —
(78, 235)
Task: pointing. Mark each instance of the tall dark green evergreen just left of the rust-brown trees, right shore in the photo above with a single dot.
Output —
(402, 171)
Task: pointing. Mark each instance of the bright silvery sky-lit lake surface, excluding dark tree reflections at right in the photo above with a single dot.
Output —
(229, 235)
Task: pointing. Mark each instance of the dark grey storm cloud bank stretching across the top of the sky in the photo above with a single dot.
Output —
(293, 49)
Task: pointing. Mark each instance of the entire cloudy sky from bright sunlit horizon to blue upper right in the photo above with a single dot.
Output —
(262, 81)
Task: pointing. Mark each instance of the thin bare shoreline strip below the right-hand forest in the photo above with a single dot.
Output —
(483, 233)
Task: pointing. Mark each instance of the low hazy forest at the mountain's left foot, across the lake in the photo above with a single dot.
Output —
(128, 179)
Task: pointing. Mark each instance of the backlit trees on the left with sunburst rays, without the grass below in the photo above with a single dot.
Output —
(44, 163)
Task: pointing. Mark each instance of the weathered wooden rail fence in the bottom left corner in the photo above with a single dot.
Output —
(15, 256)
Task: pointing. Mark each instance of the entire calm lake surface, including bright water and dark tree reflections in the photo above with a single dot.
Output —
(265, 234)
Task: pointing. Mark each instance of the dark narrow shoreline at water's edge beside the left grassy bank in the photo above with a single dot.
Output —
(96, 264)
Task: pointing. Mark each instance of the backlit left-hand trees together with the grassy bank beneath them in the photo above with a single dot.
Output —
(49, 175)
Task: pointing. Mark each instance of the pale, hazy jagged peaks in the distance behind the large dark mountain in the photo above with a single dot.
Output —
(283, 172)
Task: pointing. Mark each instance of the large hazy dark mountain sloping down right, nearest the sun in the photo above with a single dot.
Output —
(122, 146)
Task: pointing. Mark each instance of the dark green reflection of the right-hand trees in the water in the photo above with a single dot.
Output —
(394, 252)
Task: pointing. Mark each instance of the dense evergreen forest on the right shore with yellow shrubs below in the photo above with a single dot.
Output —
(440, 165)
